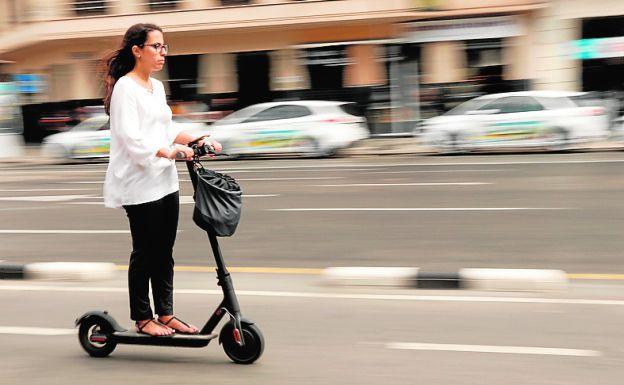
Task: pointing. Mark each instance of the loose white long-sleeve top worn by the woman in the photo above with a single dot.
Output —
(140, 124)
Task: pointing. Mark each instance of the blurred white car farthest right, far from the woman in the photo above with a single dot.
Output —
(531, 119)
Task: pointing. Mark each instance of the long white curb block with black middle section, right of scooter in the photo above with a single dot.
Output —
(470, 279)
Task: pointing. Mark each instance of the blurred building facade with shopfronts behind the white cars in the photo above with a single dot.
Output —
(400, 61)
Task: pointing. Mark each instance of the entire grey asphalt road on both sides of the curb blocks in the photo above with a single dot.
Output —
(439, 213)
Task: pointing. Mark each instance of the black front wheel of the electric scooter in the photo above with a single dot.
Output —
(250, 351)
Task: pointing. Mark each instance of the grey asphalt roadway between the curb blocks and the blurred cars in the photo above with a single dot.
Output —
(559, 211)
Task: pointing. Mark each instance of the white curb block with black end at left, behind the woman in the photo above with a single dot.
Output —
(58, 271)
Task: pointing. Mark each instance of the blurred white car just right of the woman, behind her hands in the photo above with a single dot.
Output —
(317, 128)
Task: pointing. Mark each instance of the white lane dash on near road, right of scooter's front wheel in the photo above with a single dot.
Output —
(494, 349)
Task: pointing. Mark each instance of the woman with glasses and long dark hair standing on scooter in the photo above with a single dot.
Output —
(142, 175)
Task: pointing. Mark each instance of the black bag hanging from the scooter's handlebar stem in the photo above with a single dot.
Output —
(218, 202)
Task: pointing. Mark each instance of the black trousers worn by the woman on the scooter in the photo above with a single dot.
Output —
(153, 226)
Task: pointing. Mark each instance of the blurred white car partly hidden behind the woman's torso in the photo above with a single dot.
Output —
(90, 139)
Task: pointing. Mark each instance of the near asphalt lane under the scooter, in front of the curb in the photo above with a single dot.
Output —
(323, 335)
